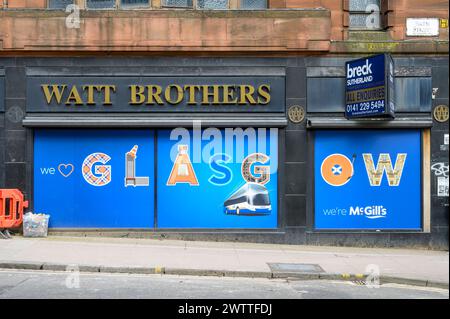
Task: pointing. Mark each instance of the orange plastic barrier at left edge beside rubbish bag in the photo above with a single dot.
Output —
(11, 208)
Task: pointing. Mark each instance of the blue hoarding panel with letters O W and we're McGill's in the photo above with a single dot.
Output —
(368, 179)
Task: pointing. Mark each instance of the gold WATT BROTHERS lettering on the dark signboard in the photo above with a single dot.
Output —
(152, 94)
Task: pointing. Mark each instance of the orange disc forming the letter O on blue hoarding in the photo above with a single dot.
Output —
(336, 169)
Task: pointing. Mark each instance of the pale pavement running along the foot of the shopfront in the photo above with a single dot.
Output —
(173, 257)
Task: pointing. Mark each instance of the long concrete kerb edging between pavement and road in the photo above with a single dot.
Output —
(216, 273)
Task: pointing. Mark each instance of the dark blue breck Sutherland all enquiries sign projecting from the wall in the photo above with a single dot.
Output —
(370, 87)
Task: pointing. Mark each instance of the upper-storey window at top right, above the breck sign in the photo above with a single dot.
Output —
(365, 14)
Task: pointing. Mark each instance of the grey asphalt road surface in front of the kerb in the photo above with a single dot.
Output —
(40, 284)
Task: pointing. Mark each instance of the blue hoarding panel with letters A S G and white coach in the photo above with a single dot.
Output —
(213, 179)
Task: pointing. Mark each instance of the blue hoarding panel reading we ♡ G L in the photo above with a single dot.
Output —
(95, 178)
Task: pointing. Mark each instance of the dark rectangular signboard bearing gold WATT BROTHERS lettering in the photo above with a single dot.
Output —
(155, 94)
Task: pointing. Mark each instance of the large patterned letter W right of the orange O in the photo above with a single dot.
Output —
(375, 175)
